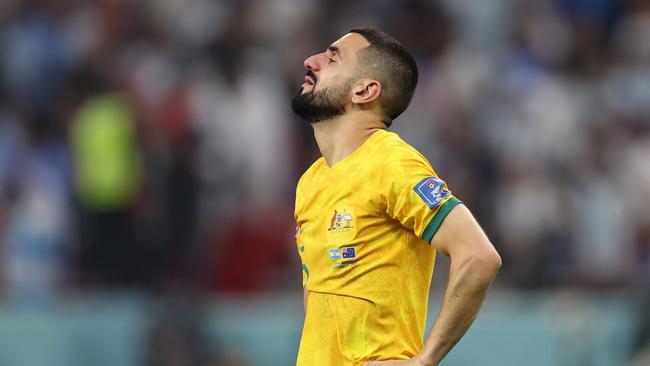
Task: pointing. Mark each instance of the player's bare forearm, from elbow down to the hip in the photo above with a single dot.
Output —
(469, 280)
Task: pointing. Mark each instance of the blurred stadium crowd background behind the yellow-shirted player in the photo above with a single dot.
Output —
(148, 160)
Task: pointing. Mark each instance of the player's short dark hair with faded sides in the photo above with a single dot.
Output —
(387, 61)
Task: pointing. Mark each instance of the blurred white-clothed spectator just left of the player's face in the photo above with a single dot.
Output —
(245, 134)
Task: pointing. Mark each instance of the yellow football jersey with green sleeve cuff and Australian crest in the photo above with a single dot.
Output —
(363, 232)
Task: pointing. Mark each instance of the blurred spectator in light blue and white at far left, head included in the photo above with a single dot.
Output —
(36, 231)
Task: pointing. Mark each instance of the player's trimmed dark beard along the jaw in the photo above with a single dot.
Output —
(317, 106)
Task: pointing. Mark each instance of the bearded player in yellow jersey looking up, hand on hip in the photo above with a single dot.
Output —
(371, 214)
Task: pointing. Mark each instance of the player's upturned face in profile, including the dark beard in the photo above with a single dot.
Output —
(328, 81)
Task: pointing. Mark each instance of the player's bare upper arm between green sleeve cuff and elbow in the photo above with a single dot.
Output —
(460, 234)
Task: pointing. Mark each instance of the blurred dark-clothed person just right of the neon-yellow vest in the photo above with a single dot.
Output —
(173, 192)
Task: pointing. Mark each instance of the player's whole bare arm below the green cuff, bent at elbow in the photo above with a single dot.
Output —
(474, 264)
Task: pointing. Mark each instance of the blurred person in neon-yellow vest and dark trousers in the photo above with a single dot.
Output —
(107, 181)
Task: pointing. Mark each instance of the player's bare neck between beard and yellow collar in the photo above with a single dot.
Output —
(340, 137)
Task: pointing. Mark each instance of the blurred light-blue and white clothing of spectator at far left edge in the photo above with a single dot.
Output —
(36, 240)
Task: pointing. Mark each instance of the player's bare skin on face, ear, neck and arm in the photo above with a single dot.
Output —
(474, 261)
